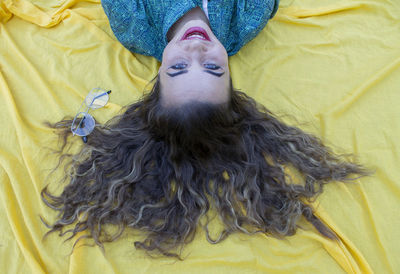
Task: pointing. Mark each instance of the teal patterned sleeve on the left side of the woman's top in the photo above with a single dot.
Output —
(132, 26)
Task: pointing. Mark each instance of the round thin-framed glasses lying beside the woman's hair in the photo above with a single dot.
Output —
(83, 123)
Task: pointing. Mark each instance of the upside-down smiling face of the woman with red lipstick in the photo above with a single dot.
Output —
(194, 67)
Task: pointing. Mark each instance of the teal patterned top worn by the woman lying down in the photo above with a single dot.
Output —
(142, 25)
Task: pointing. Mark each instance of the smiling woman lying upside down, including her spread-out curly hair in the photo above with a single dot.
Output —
(192, 146)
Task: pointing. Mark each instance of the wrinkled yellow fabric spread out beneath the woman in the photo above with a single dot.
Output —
(334, 65)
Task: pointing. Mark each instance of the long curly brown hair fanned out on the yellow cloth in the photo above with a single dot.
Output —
(160, 170)
